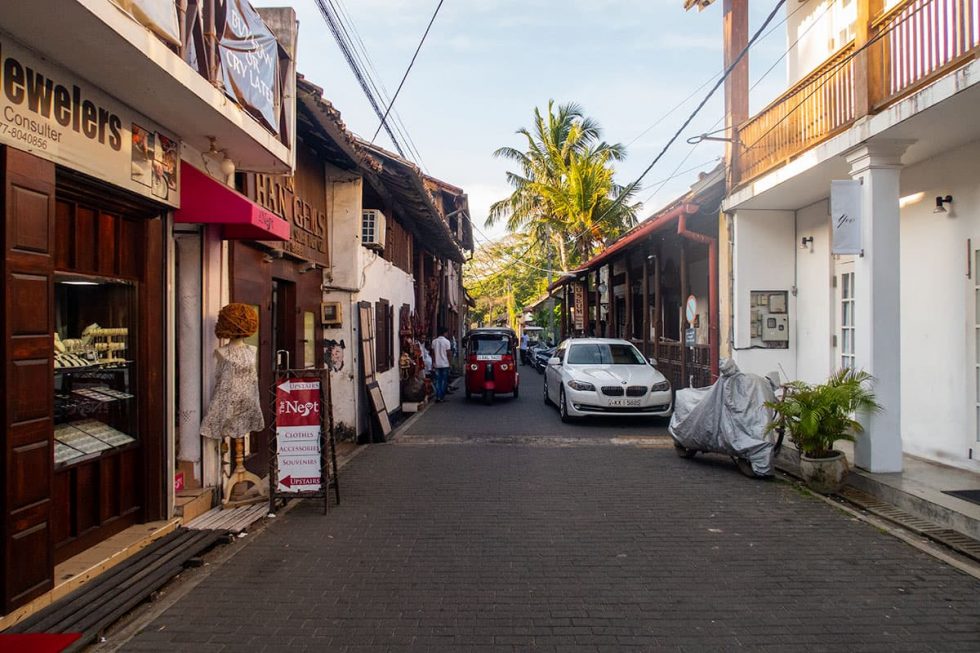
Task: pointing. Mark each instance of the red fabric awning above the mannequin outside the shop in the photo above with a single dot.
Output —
(204, 200)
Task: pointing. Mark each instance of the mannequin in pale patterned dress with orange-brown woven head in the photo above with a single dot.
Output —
(235, 409)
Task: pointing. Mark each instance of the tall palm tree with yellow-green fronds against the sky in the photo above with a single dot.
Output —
(561, 142)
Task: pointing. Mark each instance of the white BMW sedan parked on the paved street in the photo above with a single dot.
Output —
(604, 376)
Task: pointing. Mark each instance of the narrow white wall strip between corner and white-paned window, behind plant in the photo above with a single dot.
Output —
(814, 301)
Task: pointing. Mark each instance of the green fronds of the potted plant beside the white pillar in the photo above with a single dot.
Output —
(817, 416)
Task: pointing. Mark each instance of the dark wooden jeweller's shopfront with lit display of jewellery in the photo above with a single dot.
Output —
(83, 348)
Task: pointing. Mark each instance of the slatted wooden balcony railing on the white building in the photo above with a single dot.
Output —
(898, 52)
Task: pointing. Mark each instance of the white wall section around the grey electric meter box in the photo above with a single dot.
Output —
(764, 259)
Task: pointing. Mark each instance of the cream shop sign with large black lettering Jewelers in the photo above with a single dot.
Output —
(51, 113)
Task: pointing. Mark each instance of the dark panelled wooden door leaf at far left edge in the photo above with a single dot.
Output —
(28, 243)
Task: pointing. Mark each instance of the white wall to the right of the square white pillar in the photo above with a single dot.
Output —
(938, 340)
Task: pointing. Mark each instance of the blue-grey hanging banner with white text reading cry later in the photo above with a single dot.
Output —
(249, 59)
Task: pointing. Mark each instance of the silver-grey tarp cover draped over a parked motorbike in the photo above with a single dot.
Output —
(728, 417)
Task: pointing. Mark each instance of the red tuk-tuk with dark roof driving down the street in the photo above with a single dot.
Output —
(491, 363)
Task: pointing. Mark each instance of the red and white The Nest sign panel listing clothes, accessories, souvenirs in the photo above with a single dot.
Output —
(299, 424)
